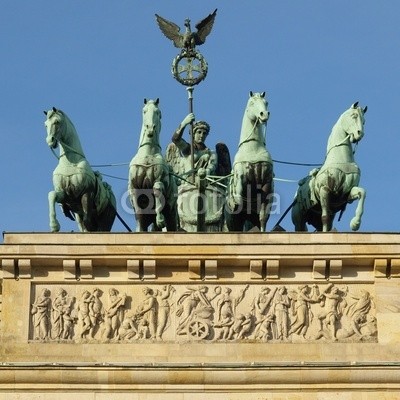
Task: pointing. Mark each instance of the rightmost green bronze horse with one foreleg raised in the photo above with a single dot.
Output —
(327, 190)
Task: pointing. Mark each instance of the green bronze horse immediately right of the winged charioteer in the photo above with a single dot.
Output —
(250, 189)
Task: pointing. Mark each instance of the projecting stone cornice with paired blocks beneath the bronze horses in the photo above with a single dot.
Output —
(264, 255)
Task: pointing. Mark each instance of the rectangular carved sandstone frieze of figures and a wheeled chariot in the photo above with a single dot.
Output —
(215, 312)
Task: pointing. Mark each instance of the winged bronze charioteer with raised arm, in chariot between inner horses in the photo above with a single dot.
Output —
(201, 195)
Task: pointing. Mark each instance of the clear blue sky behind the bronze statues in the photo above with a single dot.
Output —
(97, 60)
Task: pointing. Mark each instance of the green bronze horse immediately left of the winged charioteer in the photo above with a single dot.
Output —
(152, 187)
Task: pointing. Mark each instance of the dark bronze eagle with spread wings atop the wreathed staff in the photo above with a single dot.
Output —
(189, 39)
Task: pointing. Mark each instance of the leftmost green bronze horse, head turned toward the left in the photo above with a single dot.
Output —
(81, 191)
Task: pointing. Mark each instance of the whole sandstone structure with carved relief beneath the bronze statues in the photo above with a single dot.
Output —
(189, 315)
